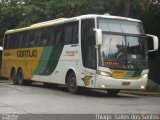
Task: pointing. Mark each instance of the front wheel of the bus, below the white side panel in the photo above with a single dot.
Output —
(71, 83)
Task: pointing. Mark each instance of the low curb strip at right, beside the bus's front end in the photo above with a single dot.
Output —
(142, 93)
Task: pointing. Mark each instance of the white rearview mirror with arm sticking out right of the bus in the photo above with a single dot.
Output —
(152, 43)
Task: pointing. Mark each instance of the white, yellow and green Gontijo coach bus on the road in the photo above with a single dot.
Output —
(93, 51)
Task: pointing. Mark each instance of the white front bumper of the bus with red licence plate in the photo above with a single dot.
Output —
(103, 82)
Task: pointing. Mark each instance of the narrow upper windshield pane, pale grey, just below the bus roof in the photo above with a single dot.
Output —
(120, 26)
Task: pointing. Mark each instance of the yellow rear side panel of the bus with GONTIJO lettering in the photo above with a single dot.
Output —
(26, 59)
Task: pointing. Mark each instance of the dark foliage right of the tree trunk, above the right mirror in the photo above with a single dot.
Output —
(149, 12)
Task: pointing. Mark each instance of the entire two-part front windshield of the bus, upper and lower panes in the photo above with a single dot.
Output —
(123, 45)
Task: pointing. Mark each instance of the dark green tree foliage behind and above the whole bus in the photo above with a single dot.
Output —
(20, 13)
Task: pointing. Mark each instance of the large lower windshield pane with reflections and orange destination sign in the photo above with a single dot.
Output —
(122, 52)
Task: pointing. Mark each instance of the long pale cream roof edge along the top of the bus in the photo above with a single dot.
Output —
(63, 20)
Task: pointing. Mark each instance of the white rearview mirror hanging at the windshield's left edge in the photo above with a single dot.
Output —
(98, 33)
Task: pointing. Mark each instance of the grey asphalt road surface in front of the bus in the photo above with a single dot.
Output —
(37, 99)
